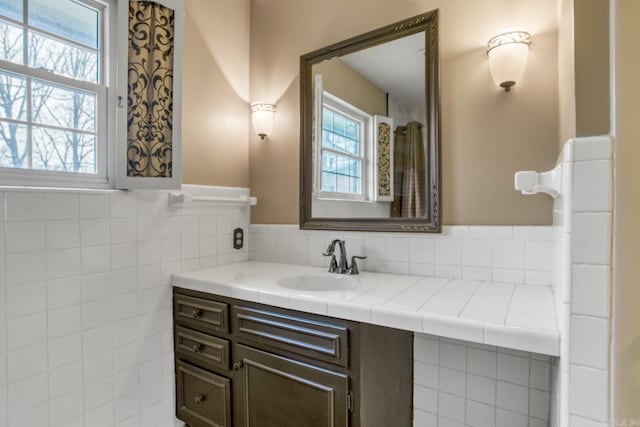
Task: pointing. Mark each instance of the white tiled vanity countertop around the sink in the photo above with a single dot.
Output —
(502, 314)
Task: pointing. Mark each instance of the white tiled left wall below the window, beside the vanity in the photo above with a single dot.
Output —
(85, 306)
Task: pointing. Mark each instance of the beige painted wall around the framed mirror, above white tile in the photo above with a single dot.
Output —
(487, 134)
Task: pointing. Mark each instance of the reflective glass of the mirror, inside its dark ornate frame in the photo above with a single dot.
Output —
(370, 119)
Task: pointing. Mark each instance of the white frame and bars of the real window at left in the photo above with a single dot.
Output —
(105, 110)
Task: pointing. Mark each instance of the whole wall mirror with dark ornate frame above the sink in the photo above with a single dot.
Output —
(370, 140)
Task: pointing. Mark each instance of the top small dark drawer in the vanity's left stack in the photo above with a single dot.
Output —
(203, 314)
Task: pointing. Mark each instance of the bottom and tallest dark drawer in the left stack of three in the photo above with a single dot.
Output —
(203, 398)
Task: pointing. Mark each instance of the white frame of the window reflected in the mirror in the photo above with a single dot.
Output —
(366, 124)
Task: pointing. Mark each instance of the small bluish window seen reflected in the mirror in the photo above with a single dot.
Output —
(344, 152)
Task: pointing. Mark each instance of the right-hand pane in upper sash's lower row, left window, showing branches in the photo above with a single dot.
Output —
(62, 58)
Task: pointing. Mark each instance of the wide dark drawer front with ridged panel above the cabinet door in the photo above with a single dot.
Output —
(316, 339)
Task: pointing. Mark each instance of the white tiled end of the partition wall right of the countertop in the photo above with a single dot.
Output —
(581, 283)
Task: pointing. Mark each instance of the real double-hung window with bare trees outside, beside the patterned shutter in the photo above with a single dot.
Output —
(53, 92)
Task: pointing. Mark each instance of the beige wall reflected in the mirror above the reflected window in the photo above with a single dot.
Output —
(347, 84)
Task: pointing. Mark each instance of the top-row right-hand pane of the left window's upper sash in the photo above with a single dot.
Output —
(67, 19)
